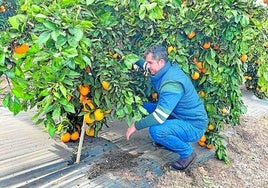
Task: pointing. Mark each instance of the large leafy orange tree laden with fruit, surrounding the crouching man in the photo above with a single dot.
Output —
(73, 59)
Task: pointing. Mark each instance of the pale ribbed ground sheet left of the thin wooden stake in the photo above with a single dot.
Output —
(27, 152)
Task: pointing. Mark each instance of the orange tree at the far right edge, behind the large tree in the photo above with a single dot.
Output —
(256, 74)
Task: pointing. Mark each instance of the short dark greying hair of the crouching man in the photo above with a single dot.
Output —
(158, 52)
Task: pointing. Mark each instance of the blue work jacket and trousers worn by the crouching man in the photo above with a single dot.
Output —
(179, 116)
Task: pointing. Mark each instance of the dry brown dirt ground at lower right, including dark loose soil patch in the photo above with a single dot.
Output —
(247, 147)
